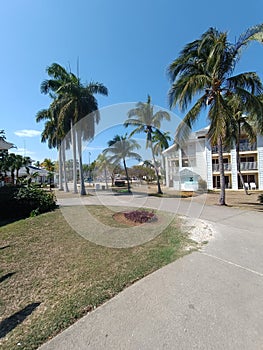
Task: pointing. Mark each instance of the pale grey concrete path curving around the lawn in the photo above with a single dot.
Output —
(212, 299)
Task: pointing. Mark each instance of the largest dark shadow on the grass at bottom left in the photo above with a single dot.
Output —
(8, 324)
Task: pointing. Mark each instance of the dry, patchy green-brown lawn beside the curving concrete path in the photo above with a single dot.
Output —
(50, 276)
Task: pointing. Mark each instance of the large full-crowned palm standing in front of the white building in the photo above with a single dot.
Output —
(203, 71)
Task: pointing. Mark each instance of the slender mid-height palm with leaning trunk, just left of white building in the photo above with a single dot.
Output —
(145, 120)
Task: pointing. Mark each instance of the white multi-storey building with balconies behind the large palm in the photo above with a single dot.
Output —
(188, 165)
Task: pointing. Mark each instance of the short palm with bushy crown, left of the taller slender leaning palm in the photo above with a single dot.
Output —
(120, 148)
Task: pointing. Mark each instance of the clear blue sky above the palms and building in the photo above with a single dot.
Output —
(126, 45)
